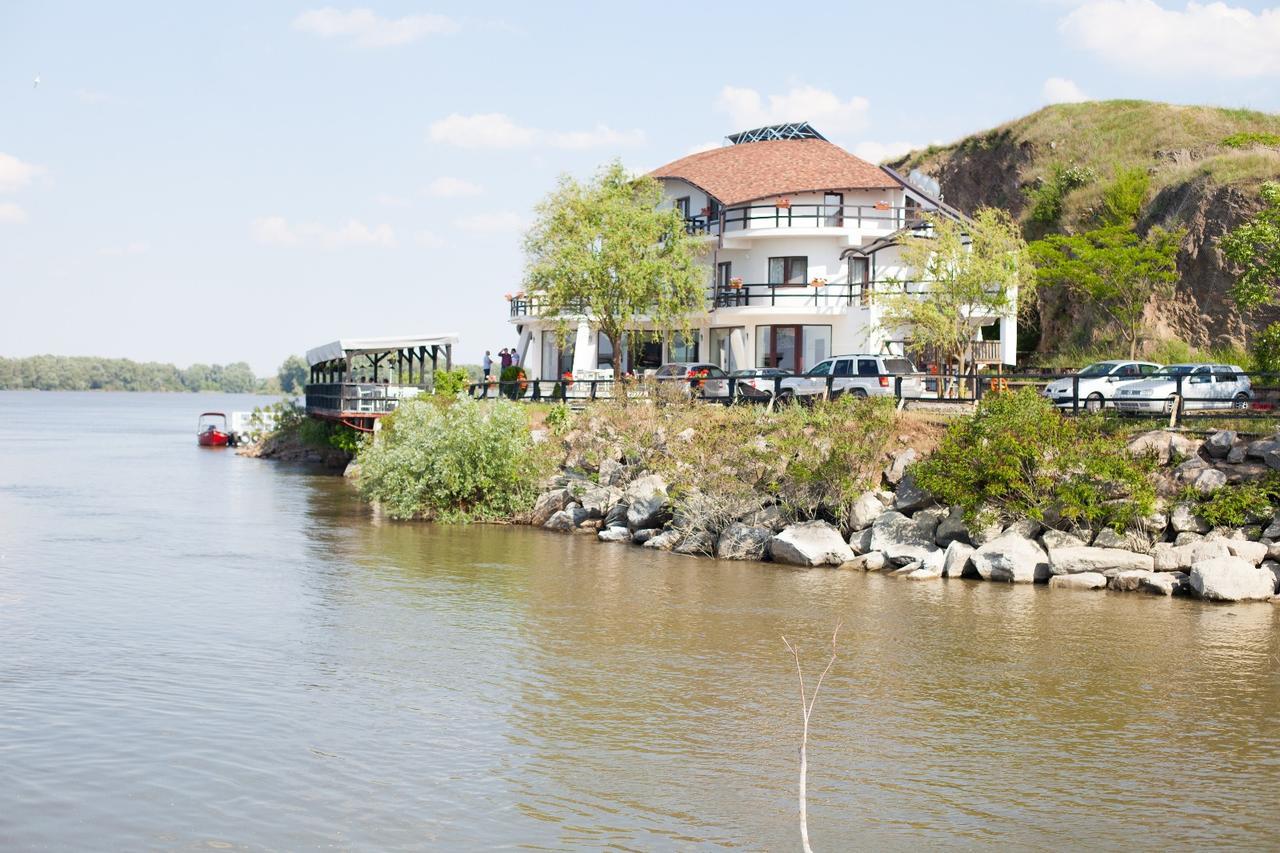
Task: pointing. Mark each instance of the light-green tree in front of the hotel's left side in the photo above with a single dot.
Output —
(611, 250)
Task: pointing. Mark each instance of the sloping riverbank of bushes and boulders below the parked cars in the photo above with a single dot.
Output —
(1014, 492)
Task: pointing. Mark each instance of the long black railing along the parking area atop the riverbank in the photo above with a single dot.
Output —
(1245, 395)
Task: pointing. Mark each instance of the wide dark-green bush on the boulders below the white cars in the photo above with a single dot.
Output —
(1017, 458)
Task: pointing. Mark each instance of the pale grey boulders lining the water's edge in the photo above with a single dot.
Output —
(902, 531)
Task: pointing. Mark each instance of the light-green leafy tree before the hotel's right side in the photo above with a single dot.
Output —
(971, 271)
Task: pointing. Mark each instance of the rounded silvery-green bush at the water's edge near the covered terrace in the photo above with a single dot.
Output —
(454, 462)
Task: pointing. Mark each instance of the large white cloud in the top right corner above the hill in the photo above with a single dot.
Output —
(1213, 39)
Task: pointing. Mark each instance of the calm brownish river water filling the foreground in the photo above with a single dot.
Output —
(202, 651)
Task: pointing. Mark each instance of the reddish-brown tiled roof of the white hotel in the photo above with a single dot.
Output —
(740, 174)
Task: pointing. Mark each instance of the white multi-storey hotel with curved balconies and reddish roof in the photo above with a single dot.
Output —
(801, 238)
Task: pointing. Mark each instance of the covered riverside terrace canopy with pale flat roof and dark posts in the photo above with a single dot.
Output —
(377, 359)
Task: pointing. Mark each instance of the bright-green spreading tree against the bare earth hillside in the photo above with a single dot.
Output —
(1114, 270)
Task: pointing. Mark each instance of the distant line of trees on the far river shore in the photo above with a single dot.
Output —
(88, 373)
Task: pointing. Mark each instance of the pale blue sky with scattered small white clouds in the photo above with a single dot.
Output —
(214, 183)
